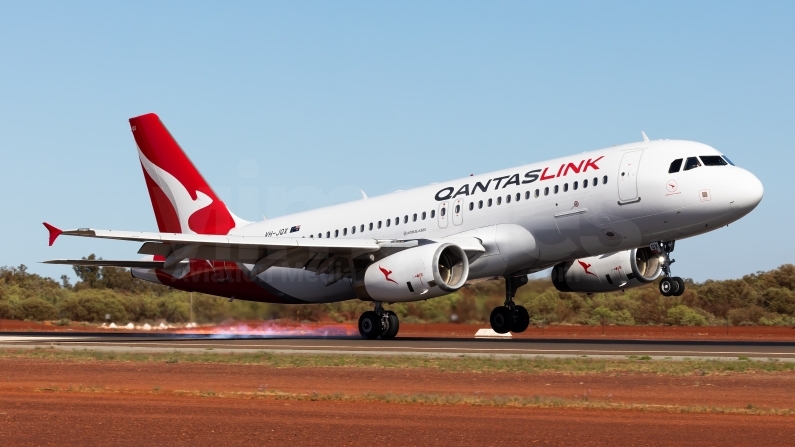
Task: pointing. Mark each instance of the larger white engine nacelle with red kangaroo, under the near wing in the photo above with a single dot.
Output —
(415, 274)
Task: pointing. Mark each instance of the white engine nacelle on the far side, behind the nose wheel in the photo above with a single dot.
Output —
(608, 273)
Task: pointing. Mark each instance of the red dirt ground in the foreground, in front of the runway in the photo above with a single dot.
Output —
(134, 403)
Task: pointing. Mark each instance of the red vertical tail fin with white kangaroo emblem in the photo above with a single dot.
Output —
(182, 200)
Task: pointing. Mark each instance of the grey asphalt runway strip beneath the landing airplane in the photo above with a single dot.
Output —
(401, 346)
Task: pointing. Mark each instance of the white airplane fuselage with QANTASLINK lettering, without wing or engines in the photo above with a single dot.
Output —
(532, 217)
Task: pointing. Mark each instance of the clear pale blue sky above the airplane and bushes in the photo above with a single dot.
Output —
(287, 106)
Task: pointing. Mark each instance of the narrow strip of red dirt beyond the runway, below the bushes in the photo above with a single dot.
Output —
(286, 327)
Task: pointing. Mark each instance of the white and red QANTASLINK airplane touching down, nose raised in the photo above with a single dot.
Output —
(604, 220)
